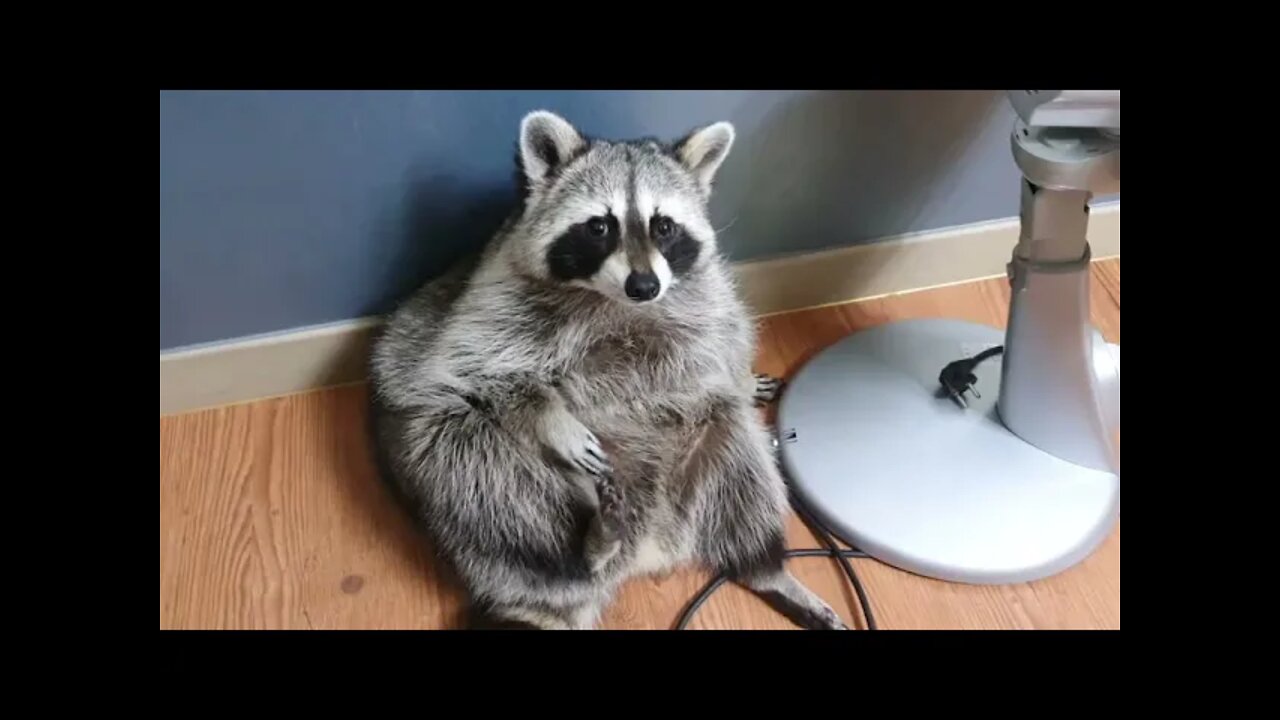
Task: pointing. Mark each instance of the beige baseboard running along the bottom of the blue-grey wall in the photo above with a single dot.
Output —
(335, 354)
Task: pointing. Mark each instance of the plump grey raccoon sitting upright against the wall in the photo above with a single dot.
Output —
(575, 405)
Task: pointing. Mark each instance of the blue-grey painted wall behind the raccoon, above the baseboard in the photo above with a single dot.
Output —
(289, 209)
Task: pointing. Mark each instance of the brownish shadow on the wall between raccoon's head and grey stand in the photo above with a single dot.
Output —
(833, 170)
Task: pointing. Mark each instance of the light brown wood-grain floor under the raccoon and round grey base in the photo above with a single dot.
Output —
(271, 517)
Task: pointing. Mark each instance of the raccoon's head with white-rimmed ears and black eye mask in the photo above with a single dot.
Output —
(627, 220)
